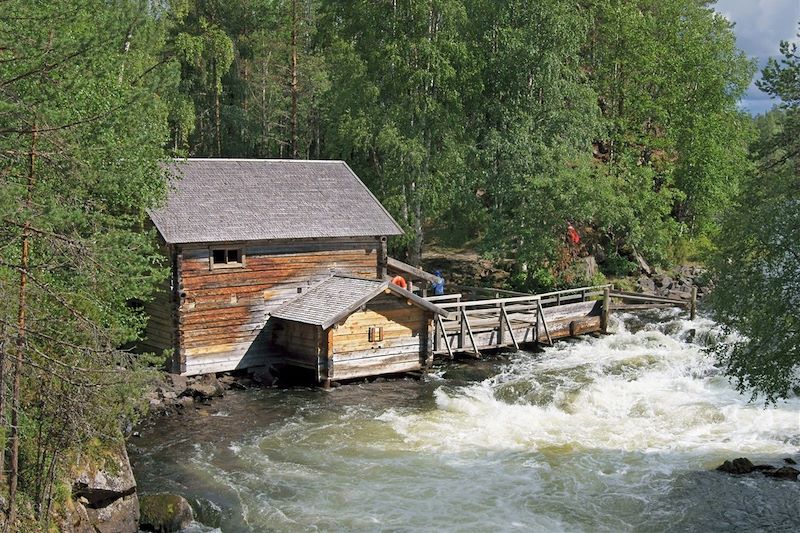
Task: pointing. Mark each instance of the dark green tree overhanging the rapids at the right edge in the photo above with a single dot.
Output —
(757, 263)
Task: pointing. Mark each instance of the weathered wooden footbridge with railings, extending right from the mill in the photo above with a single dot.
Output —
(510, 319)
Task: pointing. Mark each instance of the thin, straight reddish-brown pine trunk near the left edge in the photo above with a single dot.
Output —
(13, 477)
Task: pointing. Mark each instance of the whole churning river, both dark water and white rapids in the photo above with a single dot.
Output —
(618, 433)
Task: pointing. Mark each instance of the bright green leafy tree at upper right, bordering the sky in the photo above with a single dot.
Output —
(676, 140)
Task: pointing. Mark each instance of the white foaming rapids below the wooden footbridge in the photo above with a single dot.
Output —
(644, 391)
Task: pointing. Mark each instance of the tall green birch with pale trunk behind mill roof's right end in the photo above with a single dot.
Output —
(395, 110)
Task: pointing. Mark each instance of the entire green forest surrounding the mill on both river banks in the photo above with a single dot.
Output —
(488, 124)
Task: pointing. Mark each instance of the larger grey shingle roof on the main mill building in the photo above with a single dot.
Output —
(223, 200)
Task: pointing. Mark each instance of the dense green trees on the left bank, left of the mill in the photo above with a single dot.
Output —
(84, 121)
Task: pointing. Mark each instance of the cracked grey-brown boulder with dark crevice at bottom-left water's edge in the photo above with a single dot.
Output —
(104, 491)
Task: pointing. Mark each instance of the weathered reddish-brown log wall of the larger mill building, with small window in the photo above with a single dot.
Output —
(223, 312)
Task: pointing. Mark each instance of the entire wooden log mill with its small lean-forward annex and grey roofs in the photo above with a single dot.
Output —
(281, 260)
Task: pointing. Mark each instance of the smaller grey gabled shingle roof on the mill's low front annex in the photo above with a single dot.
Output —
(338, 297)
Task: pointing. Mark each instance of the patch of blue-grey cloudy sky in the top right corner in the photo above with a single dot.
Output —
(760, 25)
